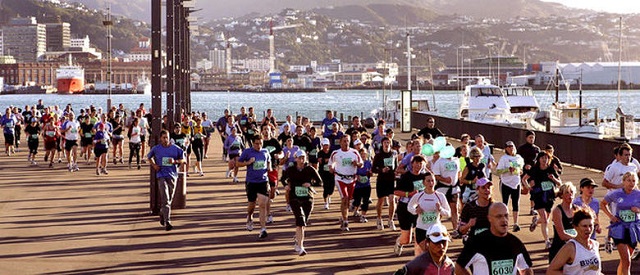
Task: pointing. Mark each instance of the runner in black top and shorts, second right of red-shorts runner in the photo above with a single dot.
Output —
(384, 164)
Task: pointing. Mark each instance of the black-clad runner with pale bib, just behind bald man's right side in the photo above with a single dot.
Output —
(542, 179)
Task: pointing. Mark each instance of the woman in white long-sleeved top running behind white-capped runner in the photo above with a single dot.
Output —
(430, 206)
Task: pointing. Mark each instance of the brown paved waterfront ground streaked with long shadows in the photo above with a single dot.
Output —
(56, 222)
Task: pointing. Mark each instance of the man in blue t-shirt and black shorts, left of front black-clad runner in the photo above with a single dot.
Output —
(258, 164)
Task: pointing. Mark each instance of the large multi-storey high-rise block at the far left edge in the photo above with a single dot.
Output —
(25, 39)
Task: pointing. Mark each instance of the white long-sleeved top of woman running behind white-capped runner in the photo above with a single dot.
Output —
(427, 202)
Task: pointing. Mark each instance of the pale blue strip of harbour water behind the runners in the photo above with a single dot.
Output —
(313, 105)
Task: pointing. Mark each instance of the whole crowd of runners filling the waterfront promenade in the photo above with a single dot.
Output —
(423, 183)
